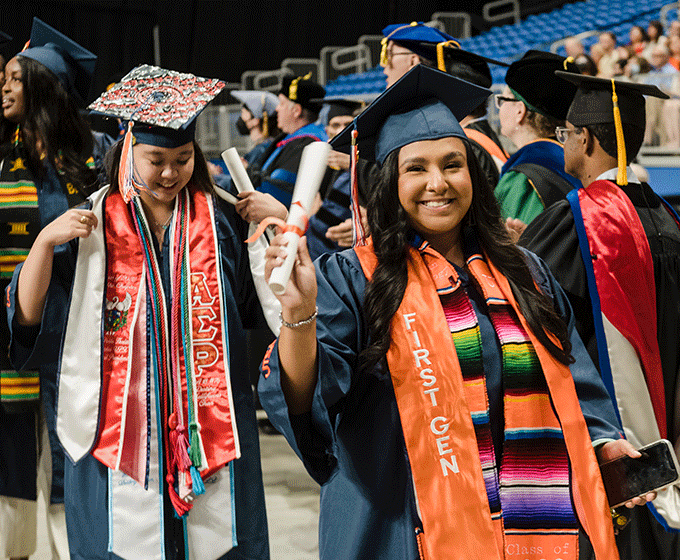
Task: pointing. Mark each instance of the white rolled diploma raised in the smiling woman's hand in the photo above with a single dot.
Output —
(310, 174)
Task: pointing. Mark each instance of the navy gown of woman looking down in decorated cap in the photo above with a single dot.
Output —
(86, 481)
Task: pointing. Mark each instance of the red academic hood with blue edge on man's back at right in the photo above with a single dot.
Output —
(618, 263)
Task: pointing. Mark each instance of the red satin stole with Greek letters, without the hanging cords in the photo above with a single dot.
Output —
(124, 368)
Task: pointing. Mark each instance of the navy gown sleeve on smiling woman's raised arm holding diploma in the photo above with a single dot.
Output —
(341, 336)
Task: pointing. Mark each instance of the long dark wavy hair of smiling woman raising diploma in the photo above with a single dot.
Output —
(390, 229)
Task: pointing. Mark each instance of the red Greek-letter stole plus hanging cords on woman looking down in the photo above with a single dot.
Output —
(188, 349)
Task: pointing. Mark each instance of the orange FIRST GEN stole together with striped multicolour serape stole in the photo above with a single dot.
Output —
(442, 414)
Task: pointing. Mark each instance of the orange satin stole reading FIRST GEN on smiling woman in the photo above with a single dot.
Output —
(440, 438)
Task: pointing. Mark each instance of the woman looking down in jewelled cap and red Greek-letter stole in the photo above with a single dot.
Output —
(155, 409)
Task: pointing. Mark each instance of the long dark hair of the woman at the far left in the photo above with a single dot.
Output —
(52, 127)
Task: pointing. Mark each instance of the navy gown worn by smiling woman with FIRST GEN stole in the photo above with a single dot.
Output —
(352, 443)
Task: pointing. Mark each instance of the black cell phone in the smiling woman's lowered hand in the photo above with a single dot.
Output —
(626, 477)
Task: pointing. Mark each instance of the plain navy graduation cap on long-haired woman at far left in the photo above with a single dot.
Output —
(72, 65)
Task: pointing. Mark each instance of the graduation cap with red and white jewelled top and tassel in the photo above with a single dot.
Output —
(160, 106)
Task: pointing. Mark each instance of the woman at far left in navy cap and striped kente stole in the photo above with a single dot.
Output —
(46, 168)
